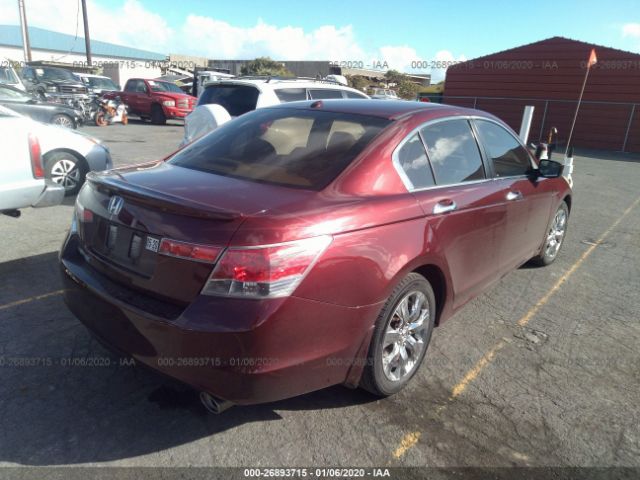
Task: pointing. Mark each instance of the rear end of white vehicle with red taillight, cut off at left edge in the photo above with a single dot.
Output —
(22, 182)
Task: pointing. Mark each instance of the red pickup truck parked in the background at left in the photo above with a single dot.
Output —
(155, 99)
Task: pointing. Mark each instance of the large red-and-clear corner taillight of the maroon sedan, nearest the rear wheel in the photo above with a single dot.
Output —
(264, 272)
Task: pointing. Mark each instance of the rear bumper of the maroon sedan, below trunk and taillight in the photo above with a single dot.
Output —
(243, 351)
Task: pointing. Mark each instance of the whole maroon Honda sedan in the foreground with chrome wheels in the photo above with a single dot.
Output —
(308, 244)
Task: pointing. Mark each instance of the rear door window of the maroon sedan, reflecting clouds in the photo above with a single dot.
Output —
(453, 152)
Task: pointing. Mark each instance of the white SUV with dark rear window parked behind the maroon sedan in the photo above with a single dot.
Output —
(244, 94)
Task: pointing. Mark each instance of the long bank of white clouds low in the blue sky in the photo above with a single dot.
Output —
(134, 25)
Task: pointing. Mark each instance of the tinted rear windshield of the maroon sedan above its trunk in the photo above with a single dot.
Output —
(290, 147)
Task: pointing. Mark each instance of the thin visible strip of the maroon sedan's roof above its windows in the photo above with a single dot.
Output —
(390, 109)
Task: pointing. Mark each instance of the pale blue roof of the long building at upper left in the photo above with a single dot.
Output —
(42, 39)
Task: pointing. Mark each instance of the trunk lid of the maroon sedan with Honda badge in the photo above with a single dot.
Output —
(133, 209)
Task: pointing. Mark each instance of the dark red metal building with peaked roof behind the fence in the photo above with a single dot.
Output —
(549, 75)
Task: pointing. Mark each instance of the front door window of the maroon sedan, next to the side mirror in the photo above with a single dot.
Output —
(509, 157)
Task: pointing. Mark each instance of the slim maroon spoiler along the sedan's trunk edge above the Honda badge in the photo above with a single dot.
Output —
(159, 201)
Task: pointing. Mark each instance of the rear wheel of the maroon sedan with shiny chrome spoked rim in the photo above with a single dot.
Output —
(386, 372)
